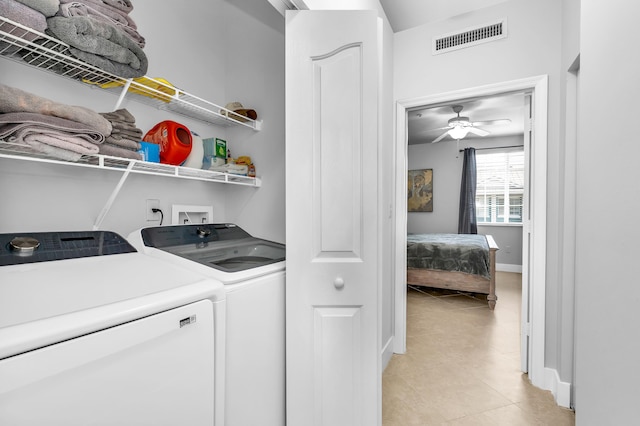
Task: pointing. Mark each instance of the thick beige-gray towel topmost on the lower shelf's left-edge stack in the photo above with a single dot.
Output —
(16, 100)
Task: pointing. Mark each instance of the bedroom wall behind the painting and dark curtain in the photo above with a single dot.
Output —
(446, 162)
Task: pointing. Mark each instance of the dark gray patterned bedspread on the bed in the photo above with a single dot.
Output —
(449, 252)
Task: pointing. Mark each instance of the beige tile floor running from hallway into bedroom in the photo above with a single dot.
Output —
(462, 365)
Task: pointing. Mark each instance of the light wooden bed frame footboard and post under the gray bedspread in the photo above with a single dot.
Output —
(460, 281)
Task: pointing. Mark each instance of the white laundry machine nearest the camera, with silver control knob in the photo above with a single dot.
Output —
(93, 332)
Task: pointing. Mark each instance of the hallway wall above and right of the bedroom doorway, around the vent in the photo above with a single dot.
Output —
(532, 48)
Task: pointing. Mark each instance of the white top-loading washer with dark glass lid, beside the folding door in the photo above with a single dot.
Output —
(252, 270)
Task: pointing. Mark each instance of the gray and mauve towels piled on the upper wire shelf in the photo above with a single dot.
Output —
(99, 32)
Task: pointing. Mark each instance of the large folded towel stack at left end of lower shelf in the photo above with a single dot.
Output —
(32, 123)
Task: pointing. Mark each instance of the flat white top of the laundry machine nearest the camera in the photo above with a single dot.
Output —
(48, 301)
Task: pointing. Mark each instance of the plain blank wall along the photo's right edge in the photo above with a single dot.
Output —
(607, 290)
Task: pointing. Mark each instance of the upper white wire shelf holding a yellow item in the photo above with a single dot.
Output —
(31, 47)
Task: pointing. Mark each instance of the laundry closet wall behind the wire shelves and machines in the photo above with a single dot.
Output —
(187, 46)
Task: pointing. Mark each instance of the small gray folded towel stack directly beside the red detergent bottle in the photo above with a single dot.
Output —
(125, 137)
